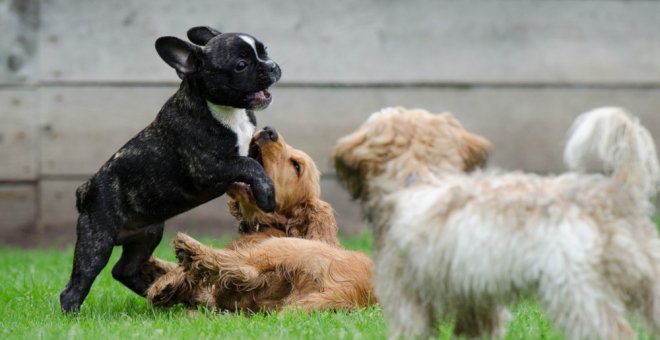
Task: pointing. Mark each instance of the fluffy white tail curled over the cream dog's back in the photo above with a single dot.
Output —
(612, 141)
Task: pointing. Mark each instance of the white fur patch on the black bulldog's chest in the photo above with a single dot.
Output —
(237, 121)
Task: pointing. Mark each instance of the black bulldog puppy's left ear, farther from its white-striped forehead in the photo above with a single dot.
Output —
(181, 55)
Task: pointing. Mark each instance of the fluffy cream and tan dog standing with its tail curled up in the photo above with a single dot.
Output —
(454, 241)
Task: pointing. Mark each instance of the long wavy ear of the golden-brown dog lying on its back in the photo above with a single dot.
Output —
(314, 221)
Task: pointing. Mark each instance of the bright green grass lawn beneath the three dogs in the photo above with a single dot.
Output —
(29, 308)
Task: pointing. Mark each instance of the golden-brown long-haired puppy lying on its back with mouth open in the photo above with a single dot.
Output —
(264, 269)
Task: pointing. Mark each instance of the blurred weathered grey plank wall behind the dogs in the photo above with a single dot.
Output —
(78, 78)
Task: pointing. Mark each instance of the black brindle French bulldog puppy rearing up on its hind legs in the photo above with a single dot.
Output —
(190, 154)
